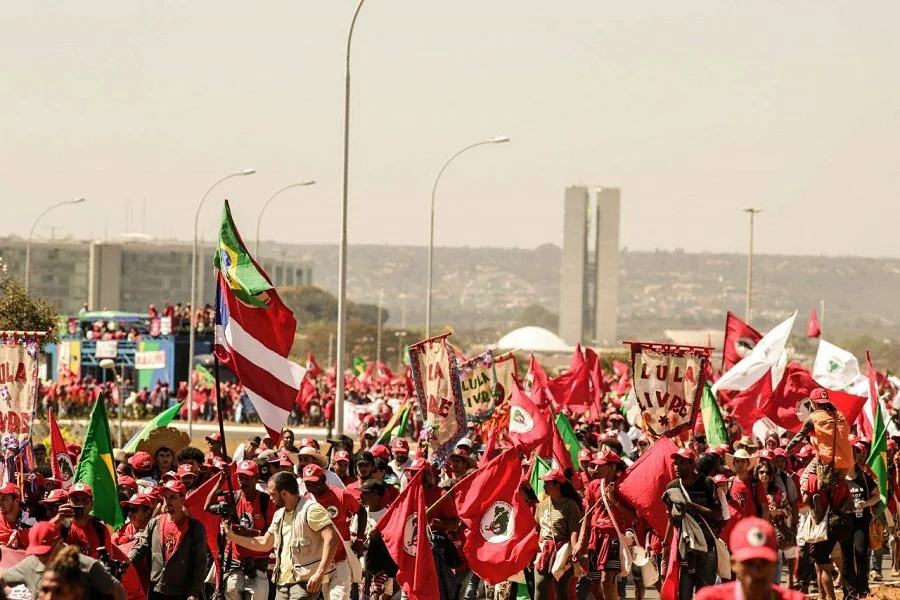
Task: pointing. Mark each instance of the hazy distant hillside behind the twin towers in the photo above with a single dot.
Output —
(488, 287)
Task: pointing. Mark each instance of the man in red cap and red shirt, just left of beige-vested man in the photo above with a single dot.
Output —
(250, 512)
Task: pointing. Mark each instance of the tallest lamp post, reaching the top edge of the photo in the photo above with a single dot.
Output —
(342, 260)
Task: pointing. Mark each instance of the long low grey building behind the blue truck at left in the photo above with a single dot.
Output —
(128, 275)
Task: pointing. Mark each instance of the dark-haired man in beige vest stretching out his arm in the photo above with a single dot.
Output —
(303, 537)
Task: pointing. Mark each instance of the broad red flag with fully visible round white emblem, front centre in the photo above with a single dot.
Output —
(501, 537)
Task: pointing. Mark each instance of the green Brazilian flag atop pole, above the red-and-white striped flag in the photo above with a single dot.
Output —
(233, 261)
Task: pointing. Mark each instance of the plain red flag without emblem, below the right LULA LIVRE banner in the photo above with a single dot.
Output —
(644, 483)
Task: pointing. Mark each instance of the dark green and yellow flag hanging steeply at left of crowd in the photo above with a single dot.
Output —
(95, 468)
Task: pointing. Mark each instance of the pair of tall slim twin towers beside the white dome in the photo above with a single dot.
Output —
(589, 277)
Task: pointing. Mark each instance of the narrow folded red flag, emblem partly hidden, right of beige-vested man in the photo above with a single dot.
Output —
(403, 529)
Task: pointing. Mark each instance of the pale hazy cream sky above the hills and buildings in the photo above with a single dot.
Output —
(694, 108)
